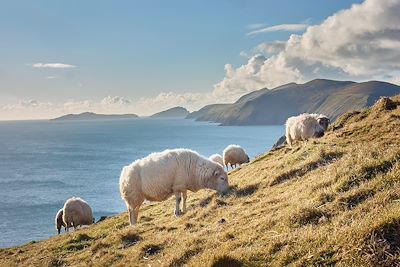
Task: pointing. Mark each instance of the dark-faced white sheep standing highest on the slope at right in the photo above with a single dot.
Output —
(302, 128)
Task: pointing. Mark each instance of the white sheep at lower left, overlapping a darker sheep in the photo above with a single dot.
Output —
(77, 212)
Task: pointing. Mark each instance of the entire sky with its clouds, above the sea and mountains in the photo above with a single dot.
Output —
(59, 57)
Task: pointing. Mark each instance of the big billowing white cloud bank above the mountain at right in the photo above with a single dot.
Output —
(359, 43)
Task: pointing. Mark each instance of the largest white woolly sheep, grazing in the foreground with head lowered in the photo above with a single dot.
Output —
(160, 175)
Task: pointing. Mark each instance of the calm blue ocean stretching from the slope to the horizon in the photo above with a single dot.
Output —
(43, 163)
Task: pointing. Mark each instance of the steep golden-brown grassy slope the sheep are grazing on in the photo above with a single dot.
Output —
(335, 200)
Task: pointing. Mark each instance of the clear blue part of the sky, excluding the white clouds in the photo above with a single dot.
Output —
(135, 50)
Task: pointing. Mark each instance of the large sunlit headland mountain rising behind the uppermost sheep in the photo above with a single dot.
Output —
(274, 106)
